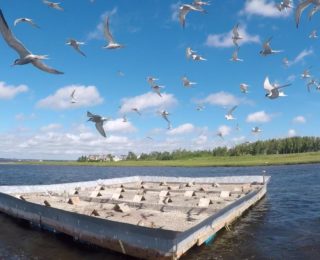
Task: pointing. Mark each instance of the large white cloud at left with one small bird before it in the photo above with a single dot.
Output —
(84, 95)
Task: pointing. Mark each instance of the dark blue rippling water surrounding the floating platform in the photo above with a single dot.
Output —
(284, 225)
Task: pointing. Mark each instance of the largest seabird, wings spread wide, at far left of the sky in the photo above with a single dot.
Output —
(25, 55)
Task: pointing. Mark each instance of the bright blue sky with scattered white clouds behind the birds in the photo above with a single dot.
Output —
(38, 121)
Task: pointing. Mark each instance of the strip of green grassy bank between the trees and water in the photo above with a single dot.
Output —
(248, 160)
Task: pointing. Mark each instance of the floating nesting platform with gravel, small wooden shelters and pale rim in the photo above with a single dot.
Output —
(142, 216)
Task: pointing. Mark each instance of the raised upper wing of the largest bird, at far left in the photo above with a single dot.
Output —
(11, 40)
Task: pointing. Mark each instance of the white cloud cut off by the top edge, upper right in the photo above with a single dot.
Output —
(265, 8)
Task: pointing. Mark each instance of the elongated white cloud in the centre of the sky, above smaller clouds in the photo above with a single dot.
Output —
(146, 101)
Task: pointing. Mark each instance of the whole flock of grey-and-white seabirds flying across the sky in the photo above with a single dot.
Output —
(273, 91)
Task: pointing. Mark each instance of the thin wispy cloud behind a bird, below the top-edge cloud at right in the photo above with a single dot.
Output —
(225, 39)
